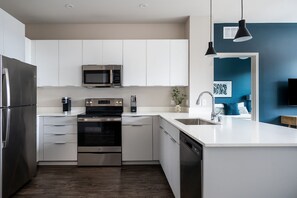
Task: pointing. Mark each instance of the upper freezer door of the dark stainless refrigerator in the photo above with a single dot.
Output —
(18, 79)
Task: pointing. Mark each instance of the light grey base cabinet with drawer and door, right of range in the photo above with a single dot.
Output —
(137, 138)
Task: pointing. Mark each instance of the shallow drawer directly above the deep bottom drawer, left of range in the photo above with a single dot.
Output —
(60, 138)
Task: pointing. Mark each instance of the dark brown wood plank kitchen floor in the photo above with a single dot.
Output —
(72, 181)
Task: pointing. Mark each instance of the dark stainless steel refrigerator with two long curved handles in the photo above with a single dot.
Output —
(18, 124)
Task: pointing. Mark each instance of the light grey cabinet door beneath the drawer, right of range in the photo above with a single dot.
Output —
(137, 143)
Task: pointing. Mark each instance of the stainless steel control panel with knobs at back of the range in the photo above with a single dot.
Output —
(97, 102)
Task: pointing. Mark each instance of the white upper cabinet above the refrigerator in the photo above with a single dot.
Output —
(13, 36)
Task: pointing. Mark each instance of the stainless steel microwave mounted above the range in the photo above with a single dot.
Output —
(102, 75)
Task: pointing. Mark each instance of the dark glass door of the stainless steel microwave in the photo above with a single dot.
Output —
(97, 78)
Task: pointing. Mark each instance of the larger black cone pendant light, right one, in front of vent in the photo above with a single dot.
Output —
(243, 33)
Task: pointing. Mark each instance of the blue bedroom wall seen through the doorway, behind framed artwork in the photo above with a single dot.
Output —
(239, 72)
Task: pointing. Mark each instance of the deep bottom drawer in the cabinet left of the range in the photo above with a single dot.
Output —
(60, 152)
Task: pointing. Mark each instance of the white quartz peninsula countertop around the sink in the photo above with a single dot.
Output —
(233, 132)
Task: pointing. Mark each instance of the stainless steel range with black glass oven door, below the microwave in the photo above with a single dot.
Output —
(100, 133)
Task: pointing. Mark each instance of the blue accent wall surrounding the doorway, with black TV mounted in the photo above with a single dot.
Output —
(277, 47)
